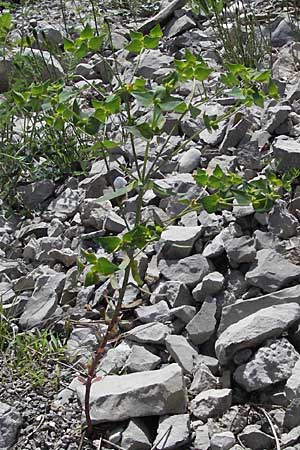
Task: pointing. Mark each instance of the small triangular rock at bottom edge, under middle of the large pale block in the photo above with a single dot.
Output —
(136, 436)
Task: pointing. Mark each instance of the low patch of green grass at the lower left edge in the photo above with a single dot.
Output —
(28, 355)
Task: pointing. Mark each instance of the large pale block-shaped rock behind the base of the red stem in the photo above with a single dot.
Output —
(150, 393)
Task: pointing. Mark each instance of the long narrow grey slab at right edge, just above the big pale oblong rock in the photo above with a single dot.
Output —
(243, 308)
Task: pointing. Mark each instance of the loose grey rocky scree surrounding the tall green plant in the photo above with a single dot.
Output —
(210, 357)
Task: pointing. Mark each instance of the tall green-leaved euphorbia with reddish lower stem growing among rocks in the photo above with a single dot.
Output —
(141, 108)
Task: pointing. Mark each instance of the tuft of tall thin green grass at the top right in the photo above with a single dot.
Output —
(237, 29)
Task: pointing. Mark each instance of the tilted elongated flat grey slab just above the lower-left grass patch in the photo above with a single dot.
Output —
(44, 301)
